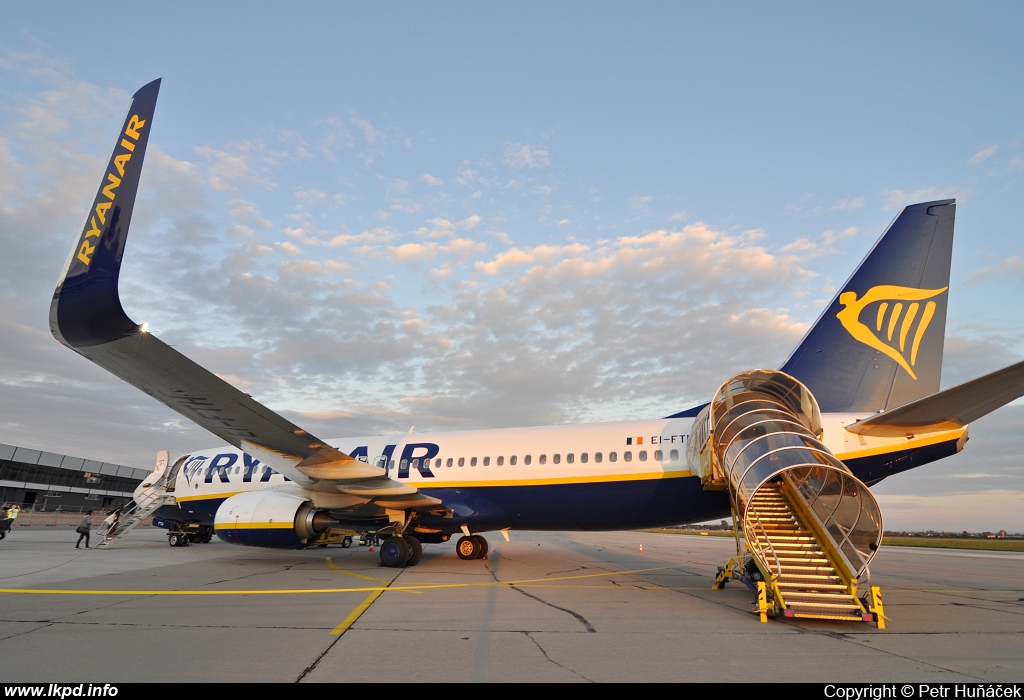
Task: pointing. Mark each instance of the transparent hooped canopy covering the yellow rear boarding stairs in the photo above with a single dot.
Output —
(761, 433)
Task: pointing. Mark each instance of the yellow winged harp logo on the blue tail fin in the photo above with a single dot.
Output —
(898, 319)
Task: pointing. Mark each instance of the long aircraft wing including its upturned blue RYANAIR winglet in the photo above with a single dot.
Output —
(88, 317)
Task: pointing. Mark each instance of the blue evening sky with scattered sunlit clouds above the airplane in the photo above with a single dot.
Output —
(451, 216)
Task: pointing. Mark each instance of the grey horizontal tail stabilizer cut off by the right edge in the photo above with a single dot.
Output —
(948, 410)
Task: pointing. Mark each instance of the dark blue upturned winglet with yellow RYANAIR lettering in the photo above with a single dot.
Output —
(87, 310)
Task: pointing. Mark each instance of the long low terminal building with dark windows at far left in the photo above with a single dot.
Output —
(47, 483)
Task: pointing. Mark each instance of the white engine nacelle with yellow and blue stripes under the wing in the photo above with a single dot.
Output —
(270, 519)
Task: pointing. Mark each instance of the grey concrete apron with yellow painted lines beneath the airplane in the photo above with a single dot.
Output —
(544, 607)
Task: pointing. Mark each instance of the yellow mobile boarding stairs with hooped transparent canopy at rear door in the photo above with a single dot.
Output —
(810, 529)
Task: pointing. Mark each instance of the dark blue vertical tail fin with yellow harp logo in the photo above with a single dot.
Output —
(879, 344)
